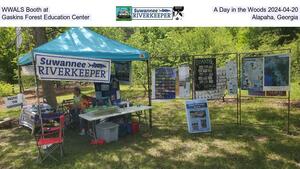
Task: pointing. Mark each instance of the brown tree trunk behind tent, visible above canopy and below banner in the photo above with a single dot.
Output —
(40, 38)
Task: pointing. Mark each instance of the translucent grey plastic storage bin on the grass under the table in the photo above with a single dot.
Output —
(107, 131)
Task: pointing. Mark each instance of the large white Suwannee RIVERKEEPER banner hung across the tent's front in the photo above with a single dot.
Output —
(71, 68)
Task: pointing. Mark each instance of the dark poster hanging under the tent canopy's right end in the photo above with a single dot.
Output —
(123, 72)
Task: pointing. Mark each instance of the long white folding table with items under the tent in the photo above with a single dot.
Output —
(92, 116)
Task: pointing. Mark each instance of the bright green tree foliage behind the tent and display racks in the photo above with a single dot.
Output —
(168, 46)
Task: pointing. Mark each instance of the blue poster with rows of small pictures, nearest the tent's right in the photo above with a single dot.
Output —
(165, 83)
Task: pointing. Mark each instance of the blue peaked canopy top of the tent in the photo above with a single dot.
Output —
(83, 42)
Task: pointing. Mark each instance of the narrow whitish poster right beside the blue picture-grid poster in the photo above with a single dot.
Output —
(184, 81)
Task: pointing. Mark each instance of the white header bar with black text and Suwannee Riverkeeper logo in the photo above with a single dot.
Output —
(133, 13)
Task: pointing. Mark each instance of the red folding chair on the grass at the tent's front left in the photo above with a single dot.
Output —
(51, 140)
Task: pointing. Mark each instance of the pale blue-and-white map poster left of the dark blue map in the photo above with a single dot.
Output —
(252, 73)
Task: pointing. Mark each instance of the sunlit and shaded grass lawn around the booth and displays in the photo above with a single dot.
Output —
(260, 142)
